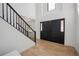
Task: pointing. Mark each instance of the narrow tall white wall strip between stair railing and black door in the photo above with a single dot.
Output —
(39, 13)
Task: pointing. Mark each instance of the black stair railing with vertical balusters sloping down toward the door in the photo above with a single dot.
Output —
(8, 13)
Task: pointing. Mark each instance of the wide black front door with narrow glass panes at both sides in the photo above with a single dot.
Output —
(51, 30)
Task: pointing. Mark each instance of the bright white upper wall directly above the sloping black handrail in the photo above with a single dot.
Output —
(25, 9)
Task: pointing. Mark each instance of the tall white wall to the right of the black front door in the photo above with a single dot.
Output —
(69, 12)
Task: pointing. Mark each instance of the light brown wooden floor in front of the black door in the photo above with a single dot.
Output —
(46, 48)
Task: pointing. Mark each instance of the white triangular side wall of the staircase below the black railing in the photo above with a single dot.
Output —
(11, 39)
